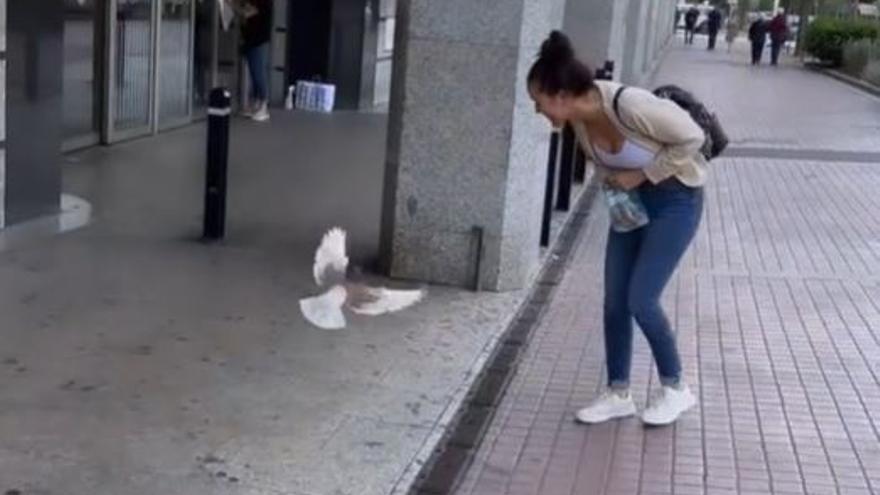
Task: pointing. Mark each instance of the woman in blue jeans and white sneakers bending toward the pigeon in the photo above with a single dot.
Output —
(639, 142)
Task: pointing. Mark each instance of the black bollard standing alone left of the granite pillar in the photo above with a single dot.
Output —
(219, 110)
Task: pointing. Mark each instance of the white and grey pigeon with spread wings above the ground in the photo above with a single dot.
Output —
(331, 264)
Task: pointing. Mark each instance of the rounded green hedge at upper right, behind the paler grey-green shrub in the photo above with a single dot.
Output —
(826, 37)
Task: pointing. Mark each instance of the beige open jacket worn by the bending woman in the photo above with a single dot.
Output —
(656, 124)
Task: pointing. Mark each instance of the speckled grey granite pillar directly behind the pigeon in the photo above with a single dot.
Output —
(465, 146)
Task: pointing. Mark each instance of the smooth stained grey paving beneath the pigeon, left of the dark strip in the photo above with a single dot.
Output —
(136, 361)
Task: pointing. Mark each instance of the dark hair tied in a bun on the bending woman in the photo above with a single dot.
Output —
(558, 69)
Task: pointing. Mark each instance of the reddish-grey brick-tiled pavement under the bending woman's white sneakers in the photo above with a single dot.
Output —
(777, 307)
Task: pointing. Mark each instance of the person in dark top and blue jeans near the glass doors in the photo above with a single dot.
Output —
(256, 33)
